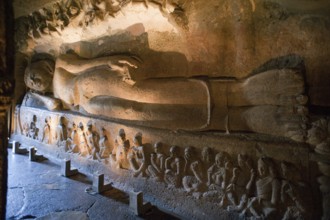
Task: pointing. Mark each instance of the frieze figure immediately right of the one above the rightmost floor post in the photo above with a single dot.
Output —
(157, 167)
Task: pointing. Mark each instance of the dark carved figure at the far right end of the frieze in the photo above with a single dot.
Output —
(292, 192)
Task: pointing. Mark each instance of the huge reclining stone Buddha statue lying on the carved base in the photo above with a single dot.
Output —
(106, 86)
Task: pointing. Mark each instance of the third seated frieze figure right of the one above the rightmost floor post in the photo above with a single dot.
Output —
(193, 181)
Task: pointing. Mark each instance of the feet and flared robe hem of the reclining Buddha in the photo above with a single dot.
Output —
(272, 102)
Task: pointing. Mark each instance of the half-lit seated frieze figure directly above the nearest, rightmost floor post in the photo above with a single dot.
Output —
(137, 158)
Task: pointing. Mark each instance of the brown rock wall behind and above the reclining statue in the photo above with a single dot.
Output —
(217, 38)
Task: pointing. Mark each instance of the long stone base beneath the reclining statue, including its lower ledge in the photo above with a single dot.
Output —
(188, 169)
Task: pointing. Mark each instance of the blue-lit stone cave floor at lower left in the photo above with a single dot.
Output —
(36, 190)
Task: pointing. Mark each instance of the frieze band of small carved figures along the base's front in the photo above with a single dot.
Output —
(249, 184)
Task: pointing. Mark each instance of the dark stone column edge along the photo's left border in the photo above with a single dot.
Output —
(6, 91)
